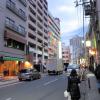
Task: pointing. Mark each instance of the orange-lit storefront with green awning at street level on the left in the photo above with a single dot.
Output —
(11, 65)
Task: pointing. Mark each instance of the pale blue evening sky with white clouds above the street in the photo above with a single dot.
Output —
(71, 18)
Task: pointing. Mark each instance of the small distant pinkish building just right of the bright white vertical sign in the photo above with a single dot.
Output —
(66, 55)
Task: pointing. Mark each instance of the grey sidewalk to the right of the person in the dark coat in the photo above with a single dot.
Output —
(89, 90)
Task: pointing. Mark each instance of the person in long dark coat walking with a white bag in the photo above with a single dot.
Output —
(73, 85)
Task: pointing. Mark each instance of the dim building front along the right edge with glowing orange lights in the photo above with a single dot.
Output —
(92, 9)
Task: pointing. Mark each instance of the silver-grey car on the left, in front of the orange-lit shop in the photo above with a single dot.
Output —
(28, 74)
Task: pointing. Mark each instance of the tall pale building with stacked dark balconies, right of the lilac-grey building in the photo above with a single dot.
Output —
(37, 37)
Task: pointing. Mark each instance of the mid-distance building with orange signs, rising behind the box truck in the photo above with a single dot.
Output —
(54, 36)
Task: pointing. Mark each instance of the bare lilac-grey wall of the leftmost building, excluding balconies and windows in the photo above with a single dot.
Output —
(5, 12)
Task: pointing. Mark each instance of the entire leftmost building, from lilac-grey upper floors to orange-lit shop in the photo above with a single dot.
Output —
(13, 22)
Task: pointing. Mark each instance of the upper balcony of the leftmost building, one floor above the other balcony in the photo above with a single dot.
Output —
(11, 6)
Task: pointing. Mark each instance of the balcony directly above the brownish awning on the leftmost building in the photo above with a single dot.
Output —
(15, 29)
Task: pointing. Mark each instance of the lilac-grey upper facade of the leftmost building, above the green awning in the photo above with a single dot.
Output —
(12, 28)
